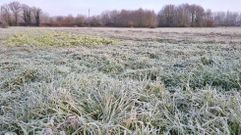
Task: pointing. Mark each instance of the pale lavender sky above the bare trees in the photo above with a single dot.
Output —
(74, 7)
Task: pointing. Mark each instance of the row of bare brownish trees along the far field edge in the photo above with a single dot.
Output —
(185, 15)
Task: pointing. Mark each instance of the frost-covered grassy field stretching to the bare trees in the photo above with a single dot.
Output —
(126, 81)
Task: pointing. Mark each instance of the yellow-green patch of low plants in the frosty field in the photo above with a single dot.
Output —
(62, 39)
